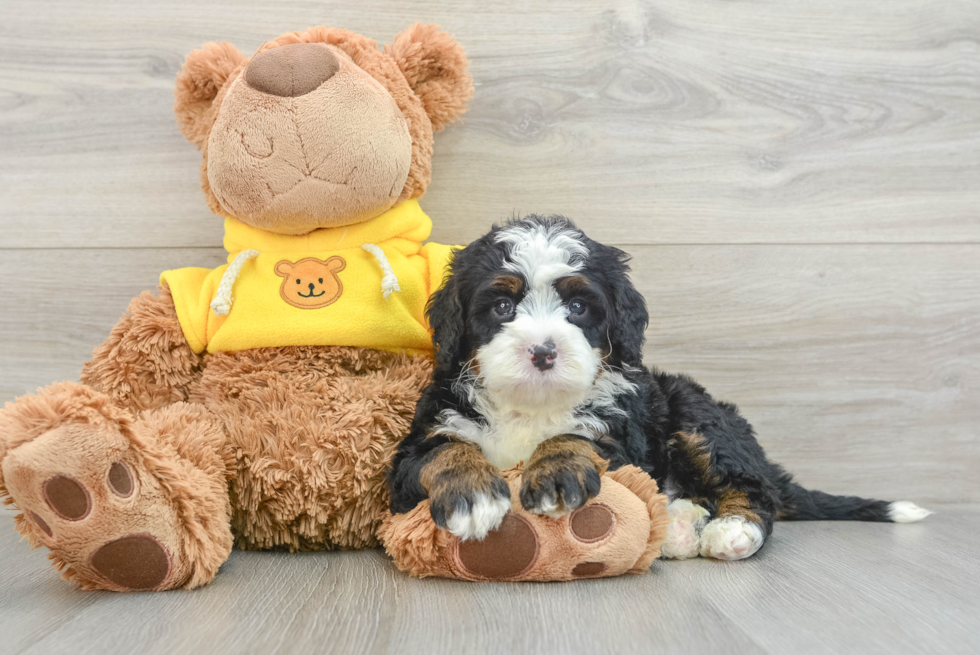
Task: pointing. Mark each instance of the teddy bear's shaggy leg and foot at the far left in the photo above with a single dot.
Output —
(123, 503)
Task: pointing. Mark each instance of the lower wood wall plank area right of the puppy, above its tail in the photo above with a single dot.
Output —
(859, 366)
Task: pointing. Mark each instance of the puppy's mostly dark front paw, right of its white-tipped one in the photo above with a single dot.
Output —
(559, 484)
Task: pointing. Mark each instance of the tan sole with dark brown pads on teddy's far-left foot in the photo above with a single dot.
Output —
(83, 489)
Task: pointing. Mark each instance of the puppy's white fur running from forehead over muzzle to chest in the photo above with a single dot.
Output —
(520, 406)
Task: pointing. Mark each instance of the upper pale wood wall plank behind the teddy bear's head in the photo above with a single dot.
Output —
(676, 122)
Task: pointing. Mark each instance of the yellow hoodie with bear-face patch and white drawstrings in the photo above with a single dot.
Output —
(363, 285)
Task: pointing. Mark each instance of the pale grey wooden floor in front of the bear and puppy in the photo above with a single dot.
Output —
(815, 588)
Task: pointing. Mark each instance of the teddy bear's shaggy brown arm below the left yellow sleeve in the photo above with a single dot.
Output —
(146, 362)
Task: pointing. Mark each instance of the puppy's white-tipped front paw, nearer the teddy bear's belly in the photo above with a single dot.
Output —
(470, 509)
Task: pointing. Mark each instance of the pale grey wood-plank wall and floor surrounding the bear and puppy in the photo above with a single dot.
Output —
(797, 182)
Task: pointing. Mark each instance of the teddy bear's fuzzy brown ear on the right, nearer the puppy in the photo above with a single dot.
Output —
(435, 66)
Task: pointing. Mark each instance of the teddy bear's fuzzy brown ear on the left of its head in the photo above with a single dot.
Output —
(204, 73)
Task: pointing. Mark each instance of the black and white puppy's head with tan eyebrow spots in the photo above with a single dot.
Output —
(533, 310)
